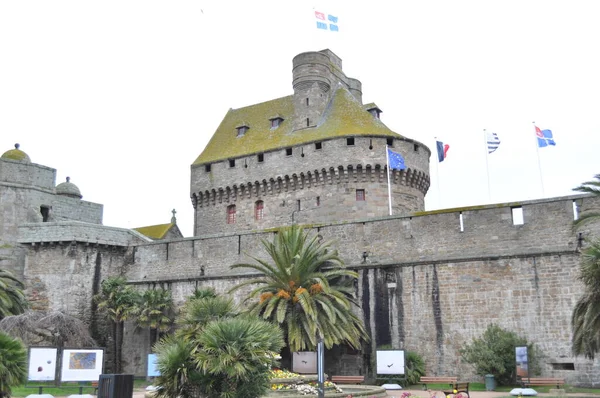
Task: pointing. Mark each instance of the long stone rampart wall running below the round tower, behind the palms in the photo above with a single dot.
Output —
(425, 286)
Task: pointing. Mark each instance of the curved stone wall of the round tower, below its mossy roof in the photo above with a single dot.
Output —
(323, 180)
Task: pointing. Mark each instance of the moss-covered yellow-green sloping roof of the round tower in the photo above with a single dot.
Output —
(344, 116)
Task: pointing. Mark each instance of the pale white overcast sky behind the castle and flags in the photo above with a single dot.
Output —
(122, 96)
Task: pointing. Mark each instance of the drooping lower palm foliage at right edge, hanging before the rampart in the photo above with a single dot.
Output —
(586, 315)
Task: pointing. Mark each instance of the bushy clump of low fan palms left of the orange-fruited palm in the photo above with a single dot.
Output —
(216, 353)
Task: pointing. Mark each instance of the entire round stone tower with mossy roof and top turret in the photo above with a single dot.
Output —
(317, 155)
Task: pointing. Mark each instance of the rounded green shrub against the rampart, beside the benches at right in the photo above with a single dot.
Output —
(494, 353)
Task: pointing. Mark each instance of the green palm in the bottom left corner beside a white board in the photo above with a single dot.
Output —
(13, 366)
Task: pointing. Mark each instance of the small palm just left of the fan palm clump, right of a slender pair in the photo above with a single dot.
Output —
(155, 312)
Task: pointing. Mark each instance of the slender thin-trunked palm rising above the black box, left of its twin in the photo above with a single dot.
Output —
(118, 302)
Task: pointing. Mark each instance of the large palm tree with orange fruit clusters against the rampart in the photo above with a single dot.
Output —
(307, 290)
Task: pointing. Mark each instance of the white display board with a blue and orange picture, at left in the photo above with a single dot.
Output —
(79, 364)
